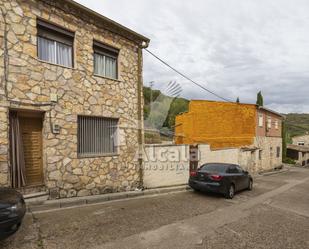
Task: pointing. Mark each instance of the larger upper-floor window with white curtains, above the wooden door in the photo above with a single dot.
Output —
(55, 45)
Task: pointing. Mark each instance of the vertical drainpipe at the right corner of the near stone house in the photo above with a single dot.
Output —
(140, 112)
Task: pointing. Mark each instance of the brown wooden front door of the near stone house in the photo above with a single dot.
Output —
(31, 129)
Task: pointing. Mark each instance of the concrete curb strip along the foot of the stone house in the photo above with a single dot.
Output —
(39, 205)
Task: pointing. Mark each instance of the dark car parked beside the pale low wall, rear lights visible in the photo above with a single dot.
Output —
(221, 178)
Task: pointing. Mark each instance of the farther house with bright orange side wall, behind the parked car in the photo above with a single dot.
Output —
(255, 130)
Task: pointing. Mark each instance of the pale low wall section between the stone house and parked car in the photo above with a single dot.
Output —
(165, 165)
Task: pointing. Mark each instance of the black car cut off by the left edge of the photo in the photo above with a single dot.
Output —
(12, 211)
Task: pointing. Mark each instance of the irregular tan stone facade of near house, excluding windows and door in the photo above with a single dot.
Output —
(31, 82)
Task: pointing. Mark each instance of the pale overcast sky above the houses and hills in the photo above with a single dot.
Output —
(233, 47)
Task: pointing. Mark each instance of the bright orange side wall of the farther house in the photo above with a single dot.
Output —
(219, 124)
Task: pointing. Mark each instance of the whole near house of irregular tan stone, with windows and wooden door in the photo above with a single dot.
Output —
(70, 99)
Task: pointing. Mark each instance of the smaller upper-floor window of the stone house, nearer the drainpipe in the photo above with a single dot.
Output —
(105, 60)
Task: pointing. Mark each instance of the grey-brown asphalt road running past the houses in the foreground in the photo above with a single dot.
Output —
(274, 215)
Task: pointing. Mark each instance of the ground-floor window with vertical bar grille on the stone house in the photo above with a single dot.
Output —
(97, 135)
